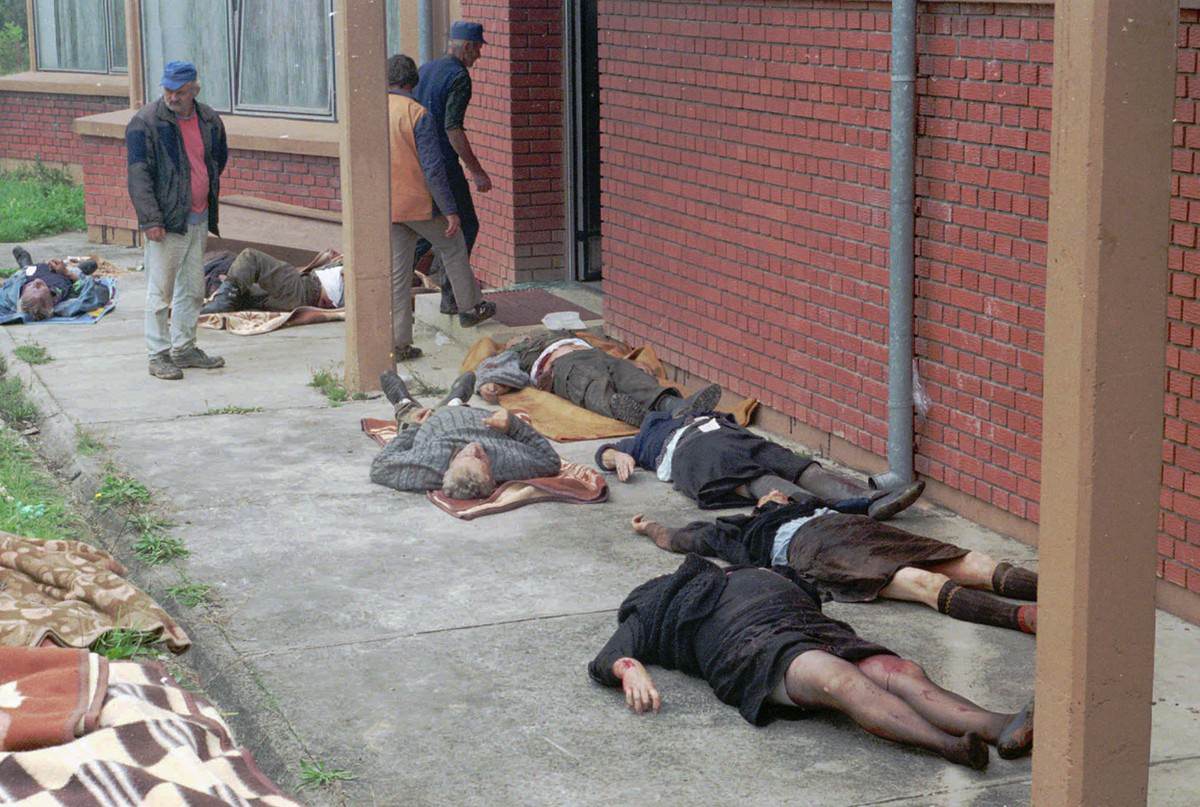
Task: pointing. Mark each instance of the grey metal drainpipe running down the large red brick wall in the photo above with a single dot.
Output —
(901, 253)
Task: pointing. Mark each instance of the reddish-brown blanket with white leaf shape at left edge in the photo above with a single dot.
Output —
(49, 696)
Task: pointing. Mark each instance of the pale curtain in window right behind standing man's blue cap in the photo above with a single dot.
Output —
(200, 35)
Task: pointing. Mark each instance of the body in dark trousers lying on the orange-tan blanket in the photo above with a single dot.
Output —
(561, 363)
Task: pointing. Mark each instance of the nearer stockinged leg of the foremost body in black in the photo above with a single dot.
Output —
(820, 679)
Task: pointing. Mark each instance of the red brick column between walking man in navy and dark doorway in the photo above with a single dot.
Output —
(515, 125)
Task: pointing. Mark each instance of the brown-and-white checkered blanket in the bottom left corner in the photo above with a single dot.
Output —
(154, 744)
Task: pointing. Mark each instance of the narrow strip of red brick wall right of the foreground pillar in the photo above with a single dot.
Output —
(1179, 541)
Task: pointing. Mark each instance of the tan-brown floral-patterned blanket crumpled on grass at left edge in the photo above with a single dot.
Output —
(69, 594)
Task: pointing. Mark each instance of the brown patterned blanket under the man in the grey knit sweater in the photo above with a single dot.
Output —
(574, 485)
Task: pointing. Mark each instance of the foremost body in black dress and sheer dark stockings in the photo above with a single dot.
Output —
(760, 641)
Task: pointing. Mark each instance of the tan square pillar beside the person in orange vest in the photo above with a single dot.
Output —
(362, 56)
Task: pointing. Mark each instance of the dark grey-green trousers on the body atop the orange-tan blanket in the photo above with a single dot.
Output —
(590, 379)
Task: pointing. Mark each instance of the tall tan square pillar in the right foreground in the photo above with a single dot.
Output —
(1114, 86)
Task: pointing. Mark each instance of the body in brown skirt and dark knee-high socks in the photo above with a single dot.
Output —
(854, 559)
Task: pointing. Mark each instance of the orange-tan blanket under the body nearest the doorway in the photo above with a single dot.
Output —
(563, 422)
